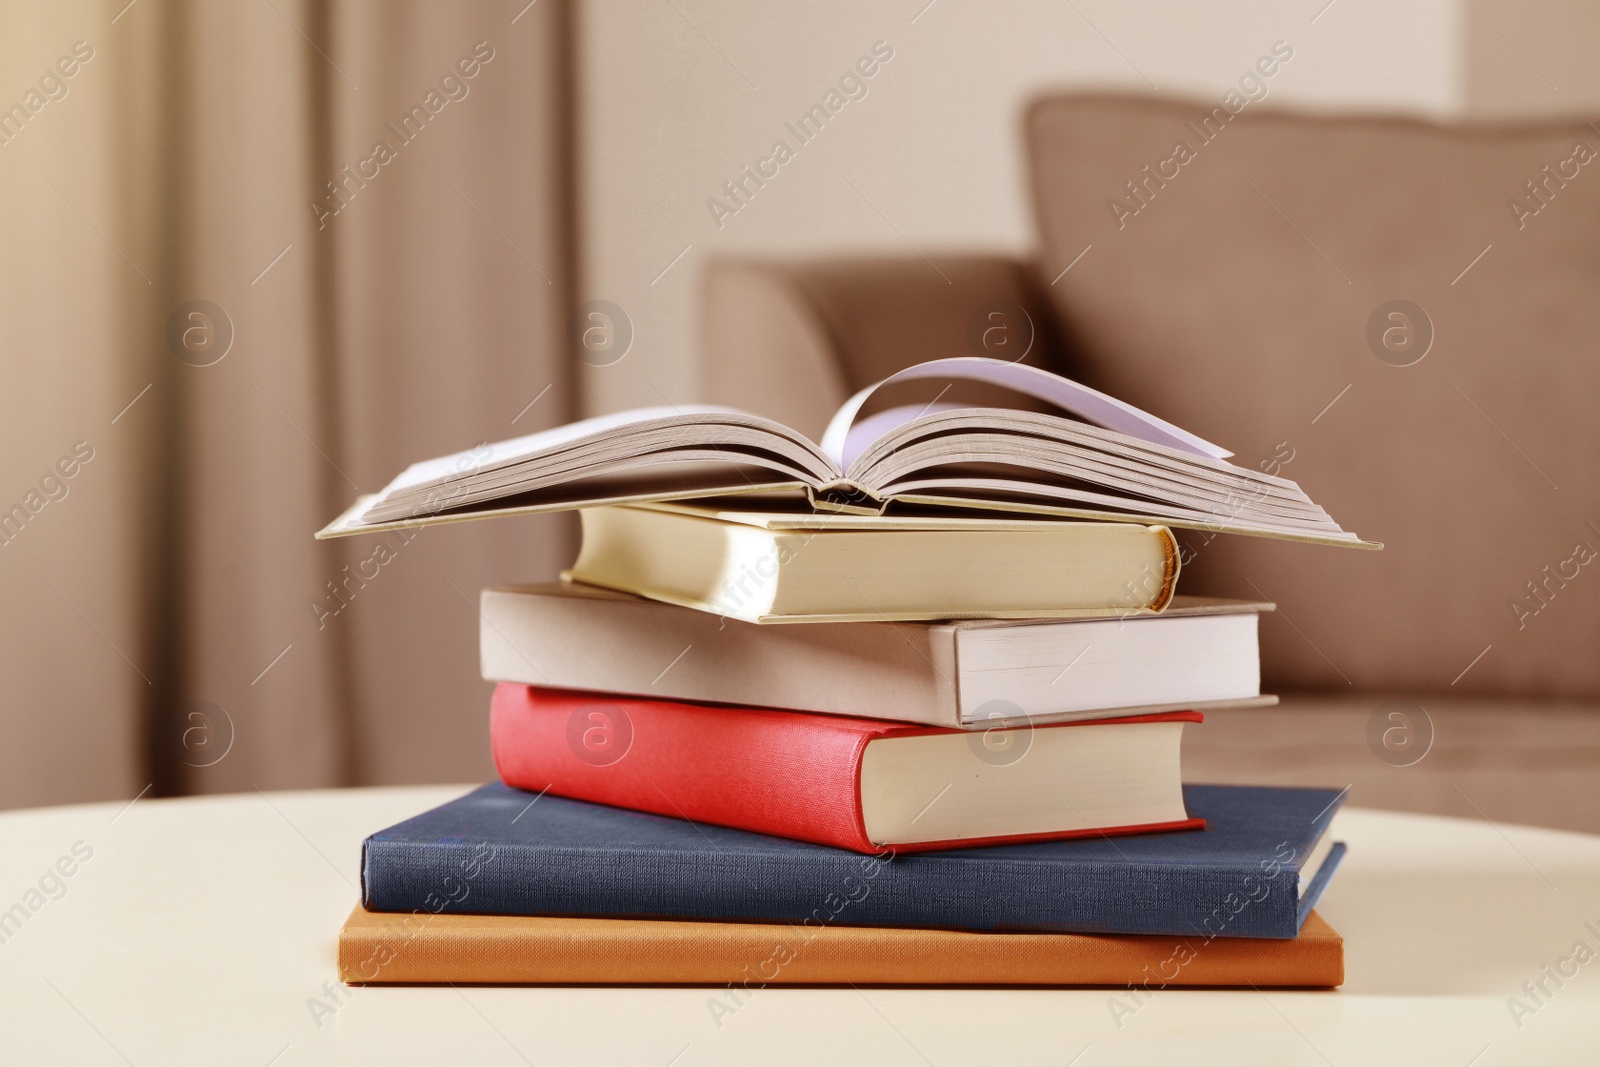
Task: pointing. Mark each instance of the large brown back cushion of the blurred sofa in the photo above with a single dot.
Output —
(1238, 276)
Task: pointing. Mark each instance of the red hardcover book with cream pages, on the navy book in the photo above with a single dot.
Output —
(850, 783)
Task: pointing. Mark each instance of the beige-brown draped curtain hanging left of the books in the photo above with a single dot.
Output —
(257, 258)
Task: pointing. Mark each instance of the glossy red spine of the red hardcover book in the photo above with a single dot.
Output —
(780, 773)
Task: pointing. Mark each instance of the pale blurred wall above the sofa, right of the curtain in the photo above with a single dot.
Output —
(676, 98)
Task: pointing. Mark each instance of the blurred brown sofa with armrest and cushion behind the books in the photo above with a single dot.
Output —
(1401, 316)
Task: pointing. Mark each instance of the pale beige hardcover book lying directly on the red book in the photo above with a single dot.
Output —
(970, 674)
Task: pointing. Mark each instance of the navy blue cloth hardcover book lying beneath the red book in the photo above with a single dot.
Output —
(505, 852)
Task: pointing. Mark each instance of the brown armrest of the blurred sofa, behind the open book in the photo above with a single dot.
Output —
(793, 340)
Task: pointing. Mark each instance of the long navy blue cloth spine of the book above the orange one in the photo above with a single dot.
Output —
(826, 887)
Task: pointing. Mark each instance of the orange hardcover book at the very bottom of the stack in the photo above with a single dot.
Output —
(383, 948)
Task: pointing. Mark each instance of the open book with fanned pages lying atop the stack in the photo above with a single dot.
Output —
(1100, 460)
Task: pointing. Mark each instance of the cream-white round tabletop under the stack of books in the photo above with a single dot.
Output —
(204, 930)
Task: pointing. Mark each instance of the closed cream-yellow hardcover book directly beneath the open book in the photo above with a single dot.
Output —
(759, 569)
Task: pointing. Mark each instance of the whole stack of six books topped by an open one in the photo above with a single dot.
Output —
(902, 709)
